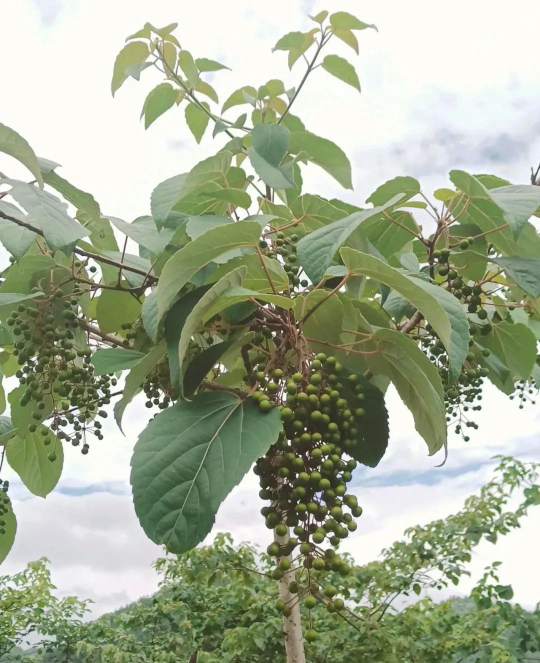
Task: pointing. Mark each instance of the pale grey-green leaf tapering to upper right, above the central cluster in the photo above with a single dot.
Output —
(316, 251)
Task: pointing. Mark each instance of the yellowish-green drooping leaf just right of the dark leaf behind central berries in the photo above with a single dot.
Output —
(416, 380)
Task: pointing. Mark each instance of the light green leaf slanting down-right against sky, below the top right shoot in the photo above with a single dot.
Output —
(325, 154)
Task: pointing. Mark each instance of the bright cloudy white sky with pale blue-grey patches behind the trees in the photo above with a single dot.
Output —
(443, 86)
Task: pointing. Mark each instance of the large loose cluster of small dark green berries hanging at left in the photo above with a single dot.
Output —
(56, 369)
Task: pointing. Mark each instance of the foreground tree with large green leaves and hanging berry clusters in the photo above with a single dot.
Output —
(266, 323)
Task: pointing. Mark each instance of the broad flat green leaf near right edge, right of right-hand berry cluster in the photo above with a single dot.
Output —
(515, 346)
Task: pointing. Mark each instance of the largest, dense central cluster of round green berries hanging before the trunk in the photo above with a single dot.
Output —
(304, 475)
